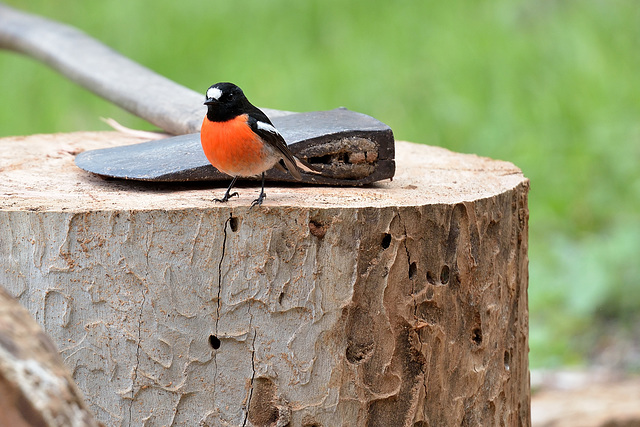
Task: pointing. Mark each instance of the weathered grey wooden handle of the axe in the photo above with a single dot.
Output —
(98, 68)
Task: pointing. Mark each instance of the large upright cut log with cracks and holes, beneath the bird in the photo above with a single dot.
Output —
(399, 304)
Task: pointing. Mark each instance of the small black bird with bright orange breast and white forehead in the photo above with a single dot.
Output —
(239, 140)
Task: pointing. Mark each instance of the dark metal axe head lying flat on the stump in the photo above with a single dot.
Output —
(347, 148)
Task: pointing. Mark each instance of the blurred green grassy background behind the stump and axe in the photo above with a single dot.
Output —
(552, 86)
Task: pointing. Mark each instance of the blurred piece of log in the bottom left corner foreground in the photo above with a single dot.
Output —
(36, 389)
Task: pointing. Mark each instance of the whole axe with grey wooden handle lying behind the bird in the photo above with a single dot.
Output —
(346, 147)
